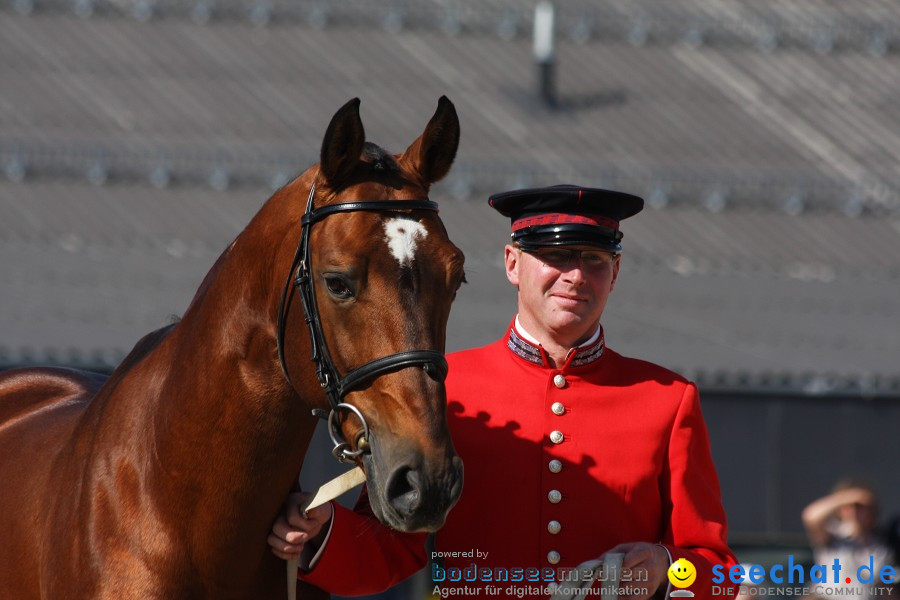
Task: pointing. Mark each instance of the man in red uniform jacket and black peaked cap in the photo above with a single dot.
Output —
(570, 449)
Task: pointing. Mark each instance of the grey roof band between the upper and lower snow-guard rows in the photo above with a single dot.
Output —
(109, 97)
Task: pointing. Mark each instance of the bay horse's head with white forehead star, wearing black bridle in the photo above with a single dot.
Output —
(375, 275)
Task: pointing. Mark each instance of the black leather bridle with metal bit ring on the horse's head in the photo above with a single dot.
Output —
(334, 385)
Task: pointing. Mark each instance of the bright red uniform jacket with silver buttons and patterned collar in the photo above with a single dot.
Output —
(560, 466)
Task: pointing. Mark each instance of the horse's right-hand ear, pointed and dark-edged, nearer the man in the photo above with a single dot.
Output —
(432, 154)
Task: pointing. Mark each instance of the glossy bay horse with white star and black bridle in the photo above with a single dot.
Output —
(163, 480)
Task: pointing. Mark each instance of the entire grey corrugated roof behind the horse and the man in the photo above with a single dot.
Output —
(137, 138)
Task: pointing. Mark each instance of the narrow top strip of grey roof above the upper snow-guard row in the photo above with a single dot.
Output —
(823, 25)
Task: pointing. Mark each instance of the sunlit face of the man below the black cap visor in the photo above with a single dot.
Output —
(558, 298)
